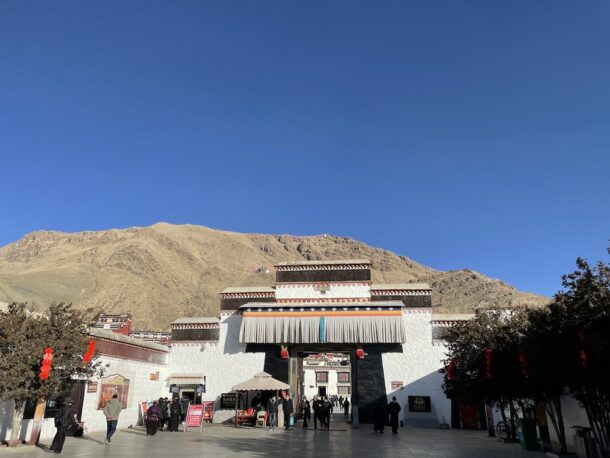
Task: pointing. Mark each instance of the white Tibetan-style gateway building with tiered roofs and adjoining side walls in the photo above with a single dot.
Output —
(384, 337)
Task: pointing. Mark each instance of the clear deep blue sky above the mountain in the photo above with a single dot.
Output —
(461, 134)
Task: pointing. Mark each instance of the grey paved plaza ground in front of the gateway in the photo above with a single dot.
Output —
(223, 441)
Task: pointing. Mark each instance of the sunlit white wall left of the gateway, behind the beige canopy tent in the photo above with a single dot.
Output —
(224, 364)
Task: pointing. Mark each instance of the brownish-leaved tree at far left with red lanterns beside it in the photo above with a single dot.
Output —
(23, 338)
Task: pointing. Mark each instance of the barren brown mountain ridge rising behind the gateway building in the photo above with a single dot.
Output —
(161, 272)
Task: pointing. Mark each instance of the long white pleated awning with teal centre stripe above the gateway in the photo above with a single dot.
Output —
(347, 326)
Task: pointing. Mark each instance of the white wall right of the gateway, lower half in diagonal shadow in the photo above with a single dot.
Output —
(417, 367)
